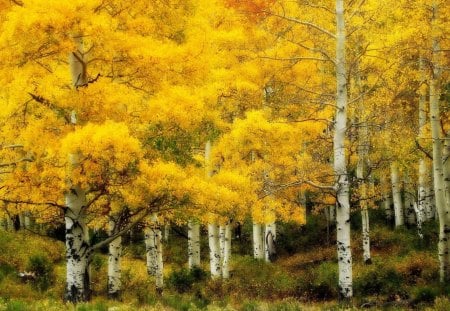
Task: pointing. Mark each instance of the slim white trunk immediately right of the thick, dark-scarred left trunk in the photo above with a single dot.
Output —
(114, 263)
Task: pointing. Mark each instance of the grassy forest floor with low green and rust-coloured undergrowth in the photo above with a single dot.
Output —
(403, 274)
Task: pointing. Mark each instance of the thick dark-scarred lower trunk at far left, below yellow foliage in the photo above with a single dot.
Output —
(78, 250)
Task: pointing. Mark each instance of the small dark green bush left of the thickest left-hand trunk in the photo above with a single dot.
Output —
(41, 266)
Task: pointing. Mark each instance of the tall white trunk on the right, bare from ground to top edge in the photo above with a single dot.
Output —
(340, 163)
